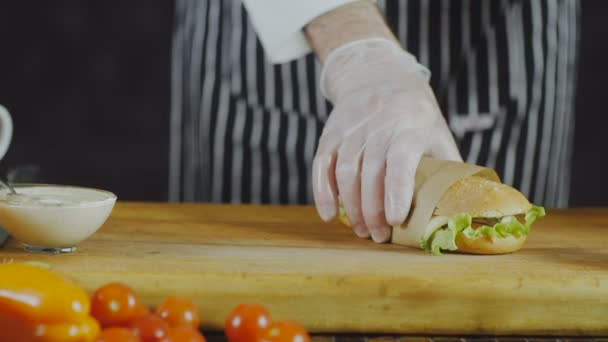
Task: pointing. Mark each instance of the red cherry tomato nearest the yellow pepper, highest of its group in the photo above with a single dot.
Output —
(113, 304)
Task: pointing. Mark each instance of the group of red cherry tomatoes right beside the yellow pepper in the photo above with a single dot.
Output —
(124, 318)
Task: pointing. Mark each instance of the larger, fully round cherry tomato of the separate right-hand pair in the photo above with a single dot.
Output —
(246, 322)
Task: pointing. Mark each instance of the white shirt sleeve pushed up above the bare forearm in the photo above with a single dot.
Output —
(279, 24)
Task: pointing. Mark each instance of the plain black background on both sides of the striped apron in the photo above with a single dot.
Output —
(87, 83)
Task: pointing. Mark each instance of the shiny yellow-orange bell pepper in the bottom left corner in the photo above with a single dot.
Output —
(39, 305)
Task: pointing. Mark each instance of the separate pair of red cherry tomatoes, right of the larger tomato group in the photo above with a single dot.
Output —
(252, 323)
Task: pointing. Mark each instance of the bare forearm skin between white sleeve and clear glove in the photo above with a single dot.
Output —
(350, 22)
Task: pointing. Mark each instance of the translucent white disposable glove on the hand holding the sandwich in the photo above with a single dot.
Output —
(385, 119)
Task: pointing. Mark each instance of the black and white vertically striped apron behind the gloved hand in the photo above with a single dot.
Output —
(245, 131)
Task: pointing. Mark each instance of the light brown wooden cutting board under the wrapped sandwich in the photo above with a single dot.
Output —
(324, 277)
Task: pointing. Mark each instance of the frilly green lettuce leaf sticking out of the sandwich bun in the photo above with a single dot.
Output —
(444, 238)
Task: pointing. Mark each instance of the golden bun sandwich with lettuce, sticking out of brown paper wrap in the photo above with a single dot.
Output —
(477, 215)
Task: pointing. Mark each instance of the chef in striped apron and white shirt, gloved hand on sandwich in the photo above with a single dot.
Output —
(295, 101)
